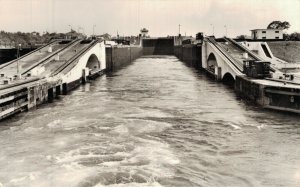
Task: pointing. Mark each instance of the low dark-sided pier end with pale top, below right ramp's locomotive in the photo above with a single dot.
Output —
(273, 94)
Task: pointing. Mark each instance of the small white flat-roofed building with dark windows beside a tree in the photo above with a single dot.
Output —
(267, 34)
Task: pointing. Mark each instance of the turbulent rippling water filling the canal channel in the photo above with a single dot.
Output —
(156, 122)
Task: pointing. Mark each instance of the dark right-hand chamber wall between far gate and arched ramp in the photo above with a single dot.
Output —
(191, 54)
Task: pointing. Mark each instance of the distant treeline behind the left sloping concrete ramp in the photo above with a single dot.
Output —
(31, 39)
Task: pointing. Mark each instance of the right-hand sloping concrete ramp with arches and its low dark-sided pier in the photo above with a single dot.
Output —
(223, 58)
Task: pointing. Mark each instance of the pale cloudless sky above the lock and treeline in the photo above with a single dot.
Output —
(160, 17)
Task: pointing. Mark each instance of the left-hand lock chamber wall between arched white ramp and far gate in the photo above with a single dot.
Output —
(117, 57)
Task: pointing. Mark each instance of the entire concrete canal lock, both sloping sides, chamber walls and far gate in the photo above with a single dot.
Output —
(62, 65)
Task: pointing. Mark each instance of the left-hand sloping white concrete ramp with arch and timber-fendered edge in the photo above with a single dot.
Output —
(49, 71)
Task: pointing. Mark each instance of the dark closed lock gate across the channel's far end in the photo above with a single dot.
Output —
(158, 46)
